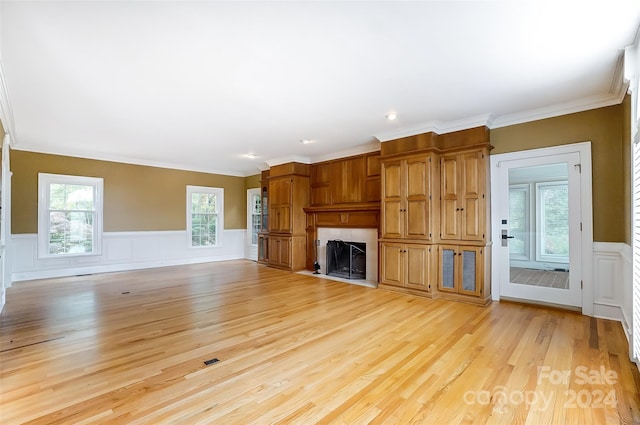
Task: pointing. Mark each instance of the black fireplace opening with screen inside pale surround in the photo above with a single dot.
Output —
(347, 259)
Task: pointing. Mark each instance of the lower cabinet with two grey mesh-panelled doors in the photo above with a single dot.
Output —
(461, 270)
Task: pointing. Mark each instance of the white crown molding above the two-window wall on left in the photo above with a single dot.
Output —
(133, 161)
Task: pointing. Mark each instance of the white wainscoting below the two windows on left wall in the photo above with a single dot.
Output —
(123, 251)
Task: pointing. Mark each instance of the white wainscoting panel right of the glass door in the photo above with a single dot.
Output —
(612, 282)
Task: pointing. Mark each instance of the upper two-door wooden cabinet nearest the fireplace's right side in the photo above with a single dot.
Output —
(407, 195)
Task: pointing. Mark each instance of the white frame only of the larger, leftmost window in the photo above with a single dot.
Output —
(45, 181)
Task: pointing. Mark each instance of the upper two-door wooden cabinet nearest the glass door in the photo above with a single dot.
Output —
(463, 195)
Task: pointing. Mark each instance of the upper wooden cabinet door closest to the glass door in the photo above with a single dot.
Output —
(472, 206)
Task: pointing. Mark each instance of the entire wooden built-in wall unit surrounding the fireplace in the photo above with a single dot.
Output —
(427, 195)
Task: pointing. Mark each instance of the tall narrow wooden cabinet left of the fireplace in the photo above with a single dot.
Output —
(288, 196)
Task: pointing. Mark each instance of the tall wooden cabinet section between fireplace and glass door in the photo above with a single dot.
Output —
(434, 215)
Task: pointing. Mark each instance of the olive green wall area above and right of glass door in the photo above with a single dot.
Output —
(603, 127)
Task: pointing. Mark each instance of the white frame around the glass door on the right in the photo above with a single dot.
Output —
(586, 208)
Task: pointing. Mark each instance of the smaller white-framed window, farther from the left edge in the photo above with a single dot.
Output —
(205, 206)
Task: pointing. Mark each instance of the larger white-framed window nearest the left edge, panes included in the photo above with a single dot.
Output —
(69, 215)
